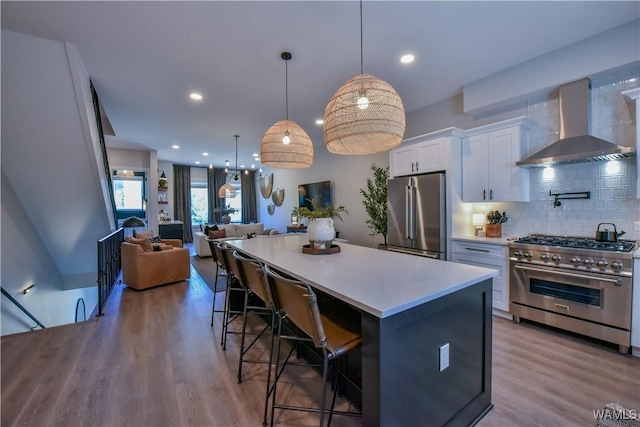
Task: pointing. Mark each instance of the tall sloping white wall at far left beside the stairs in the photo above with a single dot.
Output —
(48, 152)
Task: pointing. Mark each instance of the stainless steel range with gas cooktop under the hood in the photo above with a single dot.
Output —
(573, 283)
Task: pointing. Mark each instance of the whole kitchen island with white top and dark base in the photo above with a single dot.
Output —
(410, 308)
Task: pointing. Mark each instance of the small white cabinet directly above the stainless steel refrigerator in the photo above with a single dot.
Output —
(414, 157)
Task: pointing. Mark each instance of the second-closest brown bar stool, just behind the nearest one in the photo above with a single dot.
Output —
(250, 273)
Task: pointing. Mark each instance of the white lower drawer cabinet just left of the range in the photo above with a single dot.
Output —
(488, 255)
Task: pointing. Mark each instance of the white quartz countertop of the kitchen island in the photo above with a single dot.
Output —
(381, 283)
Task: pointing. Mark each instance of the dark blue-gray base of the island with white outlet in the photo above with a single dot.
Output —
(401, 381)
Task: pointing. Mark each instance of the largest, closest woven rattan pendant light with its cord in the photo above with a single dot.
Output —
(365, 115)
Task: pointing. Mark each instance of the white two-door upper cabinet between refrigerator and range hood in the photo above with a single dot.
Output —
(489, 156)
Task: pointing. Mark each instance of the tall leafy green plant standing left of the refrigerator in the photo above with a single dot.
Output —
(375, 201)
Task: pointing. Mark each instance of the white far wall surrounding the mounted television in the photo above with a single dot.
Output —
(348, 174)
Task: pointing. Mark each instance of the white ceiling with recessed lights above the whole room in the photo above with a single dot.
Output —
(145, 57)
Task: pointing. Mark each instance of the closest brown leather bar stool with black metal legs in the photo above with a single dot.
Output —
(297, 301)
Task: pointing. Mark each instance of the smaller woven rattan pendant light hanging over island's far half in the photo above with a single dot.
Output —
(285, 145)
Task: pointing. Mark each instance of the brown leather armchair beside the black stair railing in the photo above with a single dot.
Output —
(144, 269)
